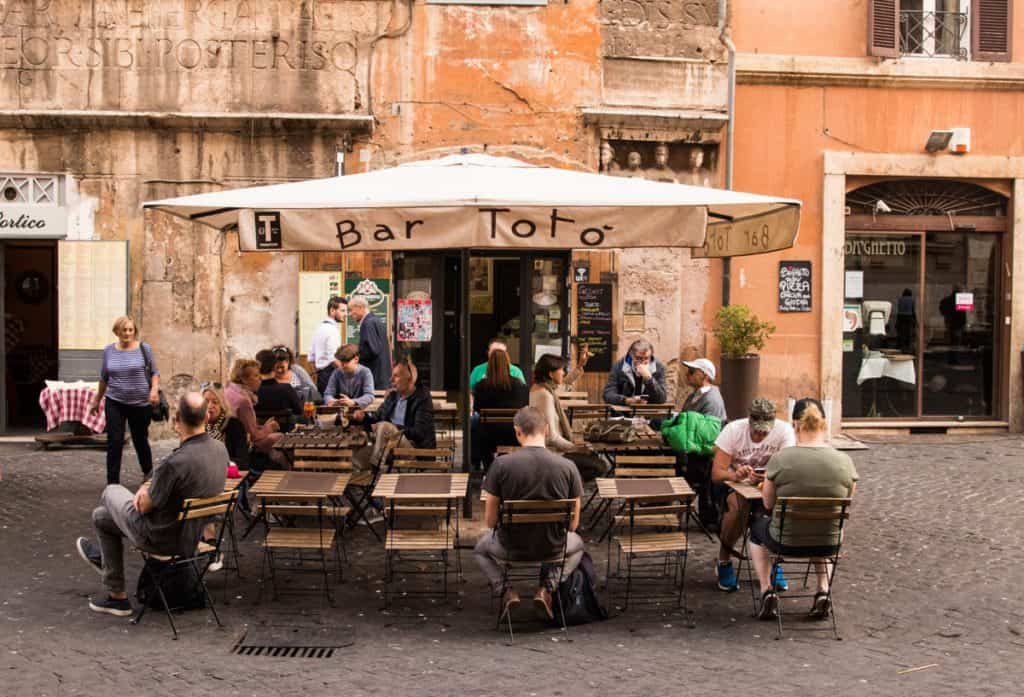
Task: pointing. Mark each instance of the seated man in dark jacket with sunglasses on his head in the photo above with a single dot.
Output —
(408, 411)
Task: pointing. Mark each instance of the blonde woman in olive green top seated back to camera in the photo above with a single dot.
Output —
(813, 468)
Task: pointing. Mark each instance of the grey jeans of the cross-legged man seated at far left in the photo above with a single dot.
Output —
(115, 520)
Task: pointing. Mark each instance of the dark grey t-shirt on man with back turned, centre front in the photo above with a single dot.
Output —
(538, 474)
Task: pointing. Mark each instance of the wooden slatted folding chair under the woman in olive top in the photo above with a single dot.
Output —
(810, 531)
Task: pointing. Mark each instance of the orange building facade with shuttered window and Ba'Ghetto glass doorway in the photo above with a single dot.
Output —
(836, 109)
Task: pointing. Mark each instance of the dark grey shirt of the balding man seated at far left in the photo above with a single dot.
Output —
(195, 470)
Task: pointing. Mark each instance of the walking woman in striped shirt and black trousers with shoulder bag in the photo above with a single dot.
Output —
(131, 380)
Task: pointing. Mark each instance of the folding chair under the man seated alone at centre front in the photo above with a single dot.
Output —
(516, 513)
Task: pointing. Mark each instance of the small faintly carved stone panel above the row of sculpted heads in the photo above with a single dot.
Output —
(660, 28)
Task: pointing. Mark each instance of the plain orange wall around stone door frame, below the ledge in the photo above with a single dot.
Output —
(782, 135)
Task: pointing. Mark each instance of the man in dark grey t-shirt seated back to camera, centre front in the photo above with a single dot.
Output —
(533, 473)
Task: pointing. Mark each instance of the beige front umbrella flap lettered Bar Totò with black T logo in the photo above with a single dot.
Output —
(486, 227)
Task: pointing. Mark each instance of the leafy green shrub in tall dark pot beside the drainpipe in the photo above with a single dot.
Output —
(740, 333)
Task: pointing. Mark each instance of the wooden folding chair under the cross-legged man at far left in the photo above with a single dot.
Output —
(200, 512)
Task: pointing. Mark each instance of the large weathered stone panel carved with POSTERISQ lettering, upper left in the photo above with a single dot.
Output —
(186, 55)
